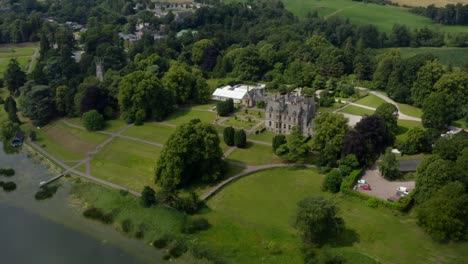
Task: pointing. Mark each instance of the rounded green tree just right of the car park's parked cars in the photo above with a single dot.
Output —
(432, 173)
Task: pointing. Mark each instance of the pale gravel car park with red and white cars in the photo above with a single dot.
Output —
(381, 187)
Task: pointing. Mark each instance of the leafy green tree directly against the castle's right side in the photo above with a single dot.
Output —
(329, 127)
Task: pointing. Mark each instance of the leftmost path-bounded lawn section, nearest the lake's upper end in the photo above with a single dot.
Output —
(67, 143)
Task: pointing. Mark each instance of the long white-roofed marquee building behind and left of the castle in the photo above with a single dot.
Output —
(240, 93)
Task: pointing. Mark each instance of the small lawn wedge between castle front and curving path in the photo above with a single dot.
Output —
(254, 154)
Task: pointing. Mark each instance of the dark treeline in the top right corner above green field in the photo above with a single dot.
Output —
(449, 15)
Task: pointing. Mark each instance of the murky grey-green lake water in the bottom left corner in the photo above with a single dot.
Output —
(53, 231)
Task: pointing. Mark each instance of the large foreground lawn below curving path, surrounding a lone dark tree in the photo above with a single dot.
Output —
(252, 217)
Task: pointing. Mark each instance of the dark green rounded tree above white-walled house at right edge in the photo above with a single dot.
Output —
(437, 112)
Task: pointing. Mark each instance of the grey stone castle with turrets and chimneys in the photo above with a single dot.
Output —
(283, 112)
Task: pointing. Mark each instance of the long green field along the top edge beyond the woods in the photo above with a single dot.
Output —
(384, 17)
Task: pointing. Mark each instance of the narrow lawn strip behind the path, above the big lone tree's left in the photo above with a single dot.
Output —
(151, 131)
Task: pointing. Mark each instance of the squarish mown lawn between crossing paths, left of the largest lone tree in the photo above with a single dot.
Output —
(127, 163)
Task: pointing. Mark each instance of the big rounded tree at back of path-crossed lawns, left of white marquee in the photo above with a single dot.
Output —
(142, 90)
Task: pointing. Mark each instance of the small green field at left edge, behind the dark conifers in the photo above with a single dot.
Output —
(22, 52)
